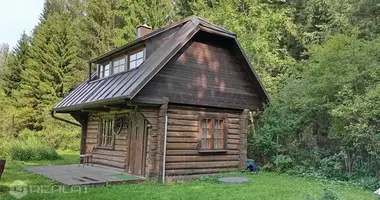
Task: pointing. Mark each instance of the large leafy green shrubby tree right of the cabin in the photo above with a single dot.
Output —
(331, 107)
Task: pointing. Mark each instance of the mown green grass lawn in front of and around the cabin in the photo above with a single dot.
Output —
(261, 186)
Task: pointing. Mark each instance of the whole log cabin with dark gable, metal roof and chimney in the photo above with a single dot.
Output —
(173, 103)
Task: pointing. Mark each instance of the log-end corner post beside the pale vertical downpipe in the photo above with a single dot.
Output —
(160, 137)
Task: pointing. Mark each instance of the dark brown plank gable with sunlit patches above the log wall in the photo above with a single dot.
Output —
(206, 72)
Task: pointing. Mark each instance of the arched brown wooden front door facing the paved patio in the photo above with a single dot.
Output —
(137, 144)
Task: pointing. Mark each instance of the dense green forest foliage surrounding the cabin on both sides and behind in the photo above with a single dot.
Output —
(319, 60)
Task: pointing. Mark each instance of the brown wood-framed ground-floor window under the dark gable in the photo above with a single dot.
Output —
(212, 132)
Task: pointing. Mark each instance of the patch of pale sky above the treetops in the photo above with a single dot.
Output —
(17, 16)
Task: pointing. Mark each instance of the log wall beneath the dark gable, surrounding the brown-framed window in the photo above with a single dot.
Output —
(183, 158)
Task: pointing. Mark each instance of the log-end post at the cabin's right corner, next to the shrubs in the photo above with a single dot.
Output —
(243, 138)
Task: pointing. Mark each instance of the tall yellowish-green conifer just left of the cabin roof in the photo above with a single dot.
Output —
(52, 69)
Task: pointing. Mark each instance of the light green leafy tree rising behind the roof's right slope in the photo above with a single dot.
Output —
(263, 30)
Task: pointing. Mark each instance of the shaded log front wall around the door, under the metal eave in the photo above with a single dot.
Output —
(117, 157)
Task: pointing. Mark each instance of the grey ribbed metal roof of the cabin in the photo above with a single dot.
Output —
(126, 85)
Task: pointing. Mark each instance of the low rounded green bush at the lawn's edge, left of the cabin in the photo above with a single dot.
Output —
(32, 150)
